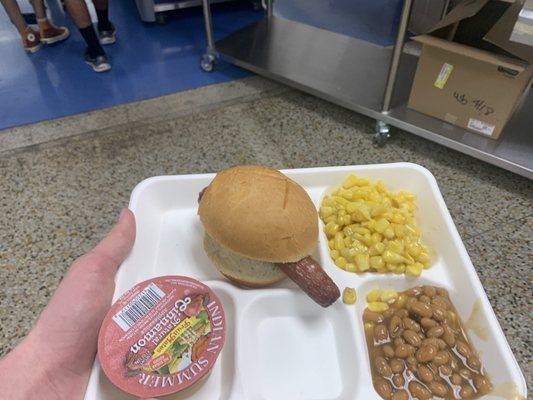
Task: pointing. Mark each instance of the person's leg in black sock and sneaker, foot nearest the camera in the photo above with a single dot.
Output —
(94, 55)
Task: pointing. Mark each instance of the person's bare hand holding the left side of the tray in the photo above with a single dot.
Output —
(54, 361)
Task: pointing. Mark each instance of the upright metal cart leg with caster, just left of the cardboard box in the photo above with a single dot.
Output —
(382, 128)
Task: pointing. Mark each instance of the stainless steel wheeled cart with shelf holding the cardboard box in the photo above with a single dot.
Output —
(364, 77)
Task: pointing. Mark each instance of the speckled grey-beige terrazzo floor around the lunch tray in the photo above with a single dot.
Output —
(59, 198)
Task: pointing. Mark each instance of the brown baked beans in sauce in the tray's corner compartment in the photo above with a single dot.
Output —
(419, 350)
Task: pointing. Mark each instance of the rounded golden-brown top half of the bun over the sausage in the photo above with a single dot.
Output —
(260, 214)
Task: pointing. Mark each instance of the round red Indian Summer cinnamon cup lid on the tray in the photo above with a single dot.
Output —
(161, 336)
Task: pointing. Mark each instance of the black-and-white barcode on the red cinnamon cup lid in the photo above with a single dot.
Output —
(138, 307)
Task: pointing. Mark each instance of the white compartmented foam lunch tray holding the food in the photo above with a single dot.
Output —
(280, 345)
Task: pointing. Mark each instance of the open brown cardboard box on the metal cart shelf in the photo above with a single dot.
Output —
(466, 86)
